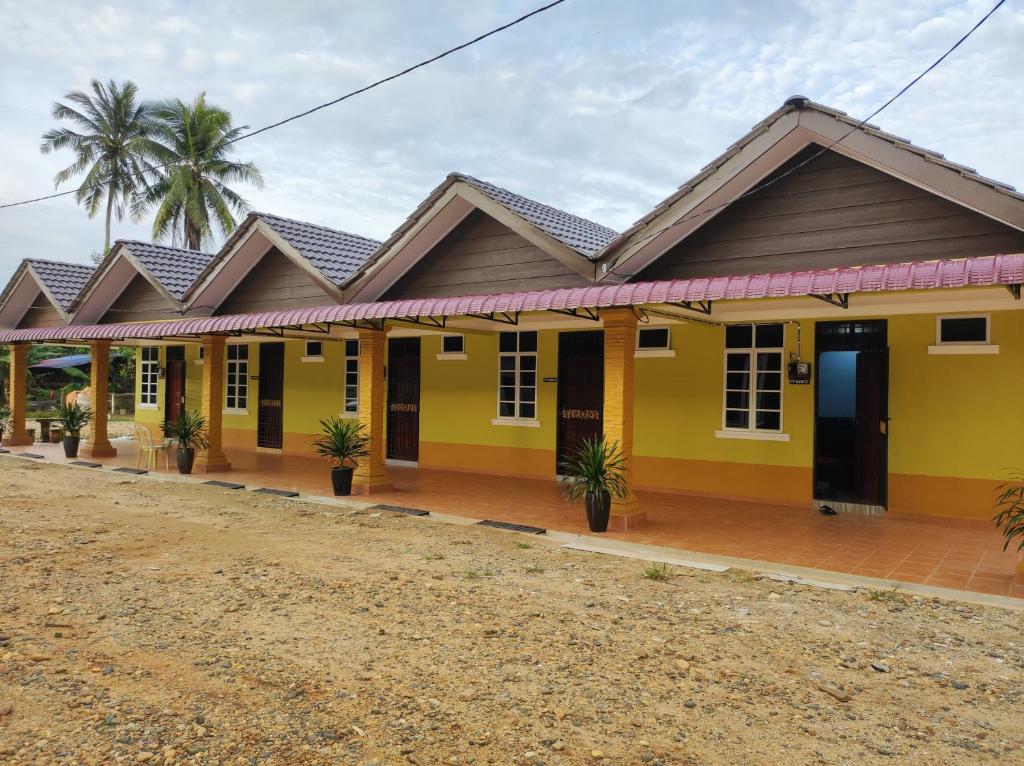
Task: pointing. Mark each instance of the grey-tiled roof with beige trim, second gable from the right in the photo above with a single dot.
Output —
(569, 238)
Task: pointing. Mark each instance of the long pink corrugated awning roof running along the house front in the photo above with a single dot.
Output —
(980, 272)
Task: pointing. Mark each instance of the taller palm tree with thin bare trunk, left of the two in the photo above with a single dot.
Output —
(111, 146)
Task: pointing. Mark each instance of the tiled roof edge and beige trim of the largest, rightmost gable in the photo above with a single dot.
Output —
(780, 137)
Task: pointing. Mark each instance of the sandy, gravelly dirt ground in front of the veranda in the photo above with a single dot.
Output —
(154, 622)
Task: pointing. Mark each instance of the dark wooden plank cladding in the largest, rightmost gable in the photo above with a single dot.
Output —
(833, 212)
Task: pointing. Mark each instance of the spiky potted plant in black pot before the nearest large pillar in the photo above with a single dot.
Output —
(595, 474)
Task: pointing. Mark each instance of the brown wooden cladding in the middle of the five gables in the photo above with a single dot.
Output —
(276, 282)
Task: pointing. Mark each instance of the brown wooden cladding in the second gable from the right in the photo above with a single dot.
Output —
(483, 257)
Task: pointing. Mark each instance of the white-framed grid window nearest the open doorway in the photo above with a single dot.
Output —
(753, 398)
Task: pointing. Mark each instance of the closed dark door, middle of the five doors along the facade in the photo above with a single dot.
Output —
(404, 399)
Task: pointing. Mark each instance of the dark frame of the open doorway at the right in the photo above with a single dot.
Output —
(875, 341)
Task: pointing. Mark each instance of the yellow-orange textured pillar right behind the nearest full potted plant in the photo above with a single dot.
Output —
(620, 346)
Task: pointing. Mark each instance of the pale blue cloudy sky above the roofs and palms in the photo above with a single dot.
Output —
(600, 107)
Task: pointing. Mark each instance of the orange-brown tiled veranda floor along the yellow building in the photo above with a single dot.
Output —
(943, 552)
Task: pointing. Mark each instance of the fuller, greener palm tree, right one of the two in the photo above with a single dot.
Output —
(194, 145)
